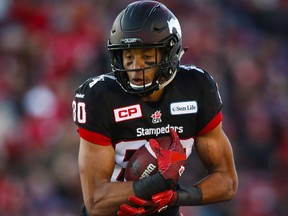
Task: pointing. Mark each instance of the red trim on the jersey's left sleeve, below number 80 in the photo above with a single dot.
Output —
(94, 137)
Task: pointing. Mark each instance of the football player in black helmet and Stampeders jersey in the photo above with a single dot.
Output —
(148, 95)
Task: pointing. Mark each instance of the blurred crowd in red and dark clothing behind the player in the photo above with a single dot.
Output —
(49, 47)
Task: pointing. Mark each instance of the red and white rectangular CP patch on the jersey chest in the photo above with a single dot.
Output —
(127, 113)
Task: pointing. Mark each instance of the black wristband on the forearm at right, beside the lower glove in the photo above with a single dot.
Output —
(189, 196)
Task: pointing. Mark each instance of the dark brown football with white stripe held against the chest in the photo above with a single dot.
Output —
(143, 162)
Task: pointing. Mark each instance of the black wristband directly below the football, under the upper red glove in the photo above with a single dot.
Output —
(149, 186)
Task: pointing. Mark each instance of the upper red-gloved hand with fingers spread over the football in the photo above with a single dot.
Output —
(171, 162)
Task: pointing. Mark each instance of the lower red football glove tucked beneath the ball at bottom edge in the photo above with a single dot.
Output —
(159, 202)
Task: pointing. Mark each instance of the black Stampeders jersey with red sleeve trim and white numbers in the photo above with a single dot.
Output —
(107, 115)
